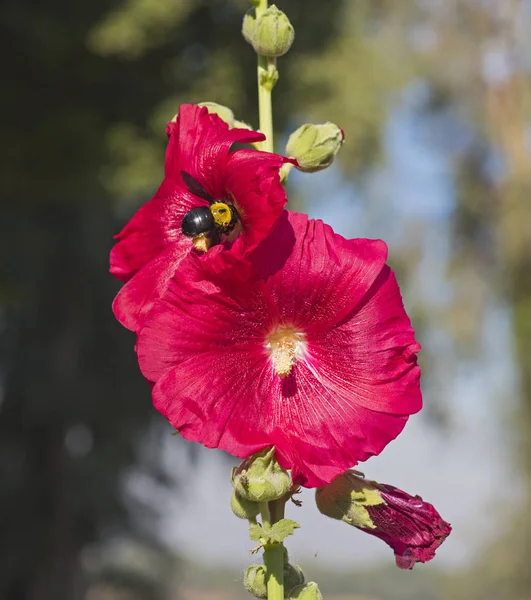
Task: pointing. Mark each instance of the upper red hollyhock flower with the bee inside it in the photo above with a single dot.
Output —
(199, 170)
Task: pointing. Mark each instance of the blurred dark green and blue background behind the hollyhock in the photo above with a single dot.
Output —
(98, 501)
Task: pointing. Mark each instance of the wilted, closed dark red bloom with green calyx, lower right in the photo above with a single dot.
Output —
(412, 527)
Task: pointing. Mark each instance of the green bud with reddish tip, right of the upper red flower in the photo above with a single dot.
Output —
(315, 146)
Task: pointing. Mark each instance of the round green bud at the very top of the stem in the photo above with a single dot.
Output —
(272, 34)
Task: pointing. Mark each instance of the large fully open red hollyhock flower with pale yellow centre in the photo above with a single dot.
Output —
(315, 355)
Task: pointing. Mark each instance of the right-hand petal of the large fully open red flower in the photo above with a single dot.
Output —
(374, 347)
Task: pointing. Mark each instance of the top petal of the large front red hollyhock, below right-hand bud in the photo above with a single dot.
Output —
(323, 275)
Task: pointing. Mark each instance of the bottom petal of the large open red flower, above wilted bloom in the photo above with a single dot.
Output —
(319, 433)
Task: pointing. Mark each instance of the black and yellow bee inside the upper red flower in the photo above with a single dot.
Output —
(206, 224)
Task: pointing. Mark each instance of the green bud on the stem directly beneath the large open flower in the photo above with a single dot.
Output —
(260, 478)
